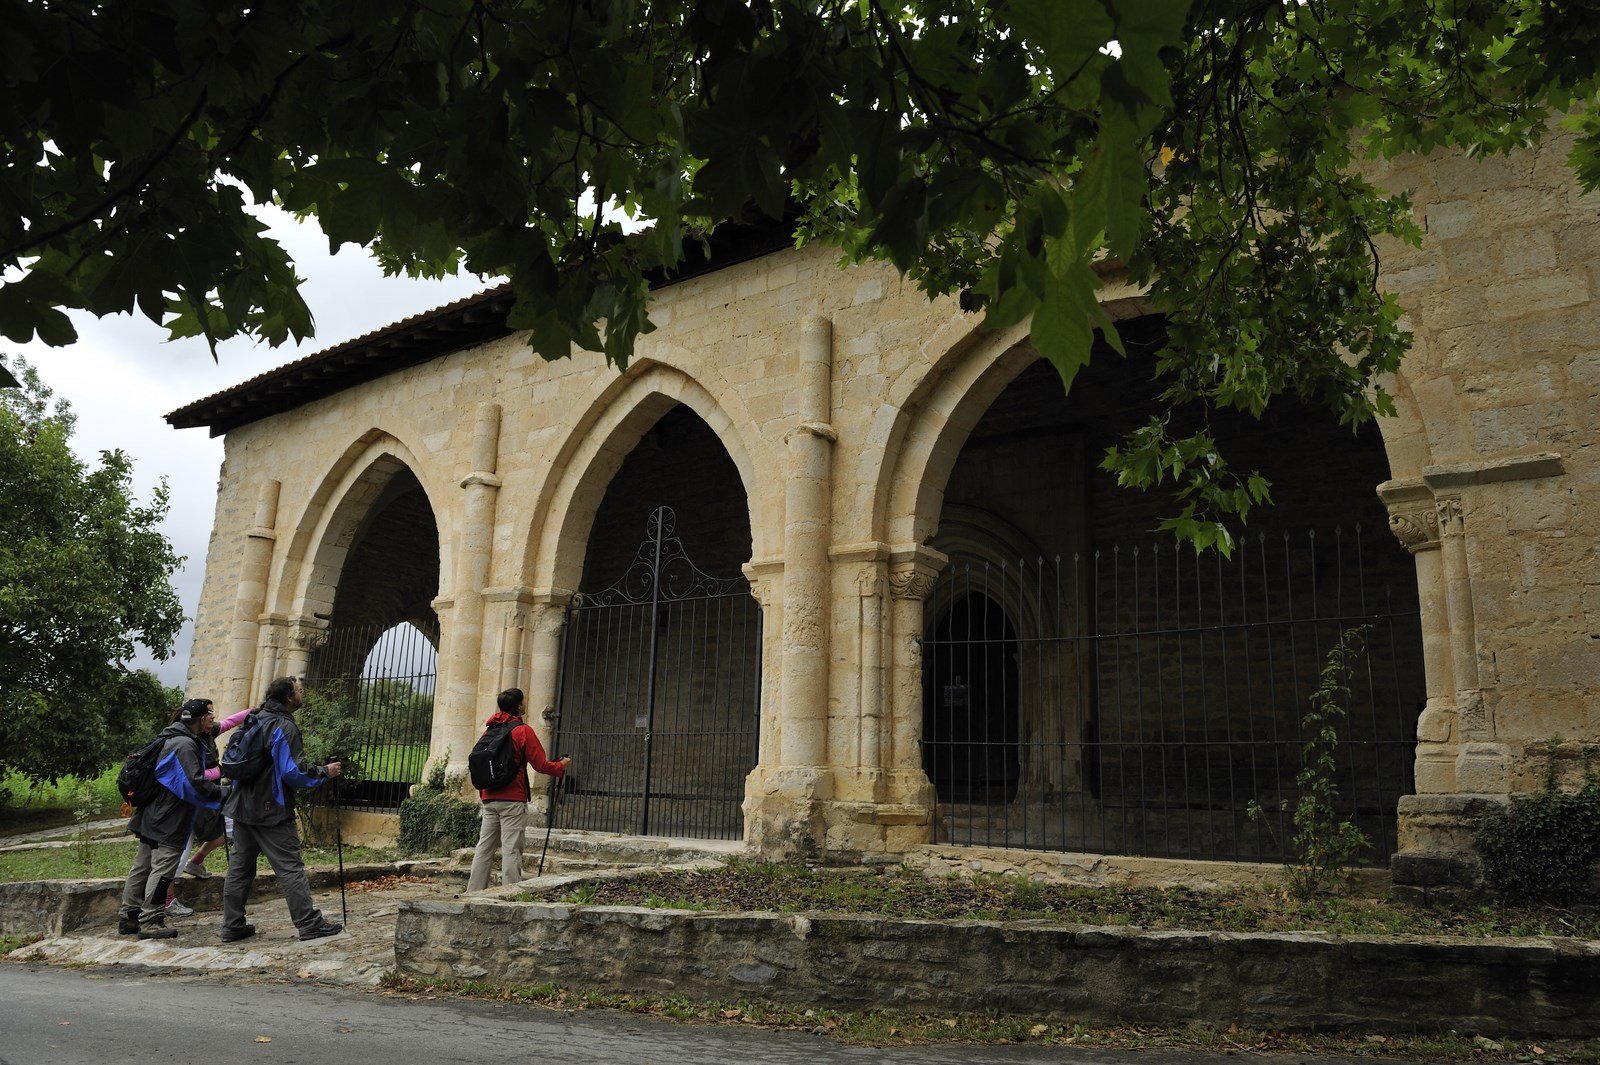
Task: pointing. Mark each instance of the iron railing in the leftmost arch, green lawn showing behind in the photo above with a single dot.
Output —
(385, 679)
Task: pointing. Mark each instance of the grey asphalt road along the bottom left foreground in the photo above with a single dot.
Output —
(54, 1016)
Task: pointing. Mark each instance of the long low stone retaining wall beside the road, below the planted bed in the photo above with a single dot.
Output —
(1026, 968)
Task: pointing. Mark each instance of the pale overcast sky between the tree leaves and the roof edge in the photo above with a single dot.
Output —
(122, 378)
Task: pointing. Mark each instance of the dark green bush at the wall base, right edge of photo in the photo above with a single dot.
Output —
(1543, 847)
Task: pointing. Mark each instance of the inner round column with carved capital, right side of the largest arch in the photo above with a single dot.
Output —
(1414, 519)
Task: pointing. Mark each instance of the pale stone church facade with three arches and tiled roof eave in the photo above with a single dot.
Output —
(910, 607)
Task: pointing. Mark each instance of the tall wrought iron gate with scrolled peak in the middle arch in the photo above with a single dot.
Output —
(660, 696)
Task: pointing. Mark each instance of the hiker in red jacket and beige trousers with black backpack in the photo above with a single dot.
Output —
(500, 770)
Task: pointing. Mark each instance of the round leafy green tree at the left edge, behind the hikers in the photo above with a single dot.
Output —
(84, 576)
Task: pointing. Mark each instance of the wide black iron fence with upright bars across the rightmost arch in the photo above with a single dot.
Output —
(1137, 700)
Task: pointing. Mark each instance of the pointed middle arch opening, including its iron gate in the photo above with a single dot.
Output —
(660, 687)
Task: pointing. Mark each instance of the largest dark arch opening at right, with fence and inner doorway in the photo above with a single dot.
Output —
(1162, 693)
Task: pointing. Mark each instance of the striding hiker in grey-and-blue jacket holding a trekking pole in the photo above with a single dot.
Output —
(263, 812)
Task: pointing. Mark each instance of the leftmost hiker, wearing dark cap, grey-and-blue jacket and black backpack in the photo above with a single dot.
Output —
(164, 828)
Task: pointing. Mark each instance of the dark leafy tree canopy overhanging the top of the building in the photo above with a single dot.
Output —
(990, 150)
